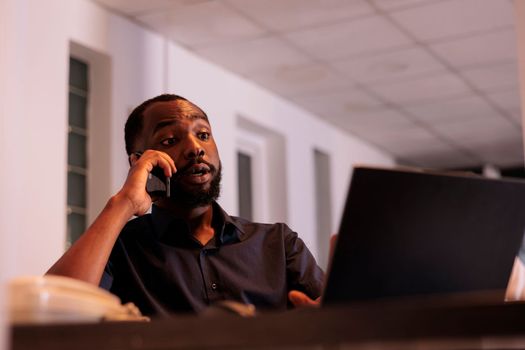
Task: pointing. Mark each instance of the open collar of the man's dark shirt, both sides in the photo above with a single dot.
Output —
(227, 230)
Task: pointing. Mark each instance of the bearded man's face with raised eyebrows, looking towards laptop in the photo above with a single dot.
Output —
(181, 130)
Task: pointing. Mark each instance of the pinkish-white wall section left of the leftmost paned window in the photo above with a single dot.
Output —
(33, 139)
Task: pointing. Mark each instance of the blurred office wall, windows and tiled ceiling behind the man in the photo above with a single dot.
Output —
(297, 91)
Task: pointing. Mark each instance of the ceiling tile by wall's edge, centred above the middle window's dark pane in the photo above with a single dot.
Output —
(252, 55)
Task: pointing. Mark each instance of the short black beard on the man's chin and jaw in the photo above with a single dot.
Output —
(197, 197)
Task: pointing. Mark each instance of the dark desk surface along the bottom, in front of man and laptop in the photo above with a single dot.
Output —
(430, 323)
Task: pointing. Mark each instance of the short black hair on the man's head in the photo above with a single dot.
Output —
(134, 123)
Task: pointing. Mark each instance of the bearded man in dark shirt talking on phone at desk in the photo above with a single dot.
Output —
(188, 253)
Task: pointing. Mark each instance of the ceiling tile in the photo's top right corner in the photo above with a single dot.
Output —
(452, 18)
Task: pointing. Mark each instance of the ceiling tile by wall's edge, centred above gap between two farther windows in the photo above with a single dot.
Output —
(299, 80)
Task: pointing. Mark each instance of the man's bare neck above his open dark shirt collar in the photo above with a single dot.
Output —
(199, 219)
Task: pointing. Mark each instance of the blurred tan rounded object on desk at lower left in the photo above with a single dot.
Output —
(56, 299)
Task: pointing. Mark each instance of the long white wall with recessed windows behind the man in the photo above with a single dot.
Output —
(34, 121)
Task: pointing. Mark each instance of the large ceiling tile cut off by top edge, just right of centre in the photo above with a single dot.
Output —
(285, 15)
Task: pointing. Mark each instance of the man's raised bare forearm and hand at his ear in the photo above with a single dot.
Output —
(86, 259)
